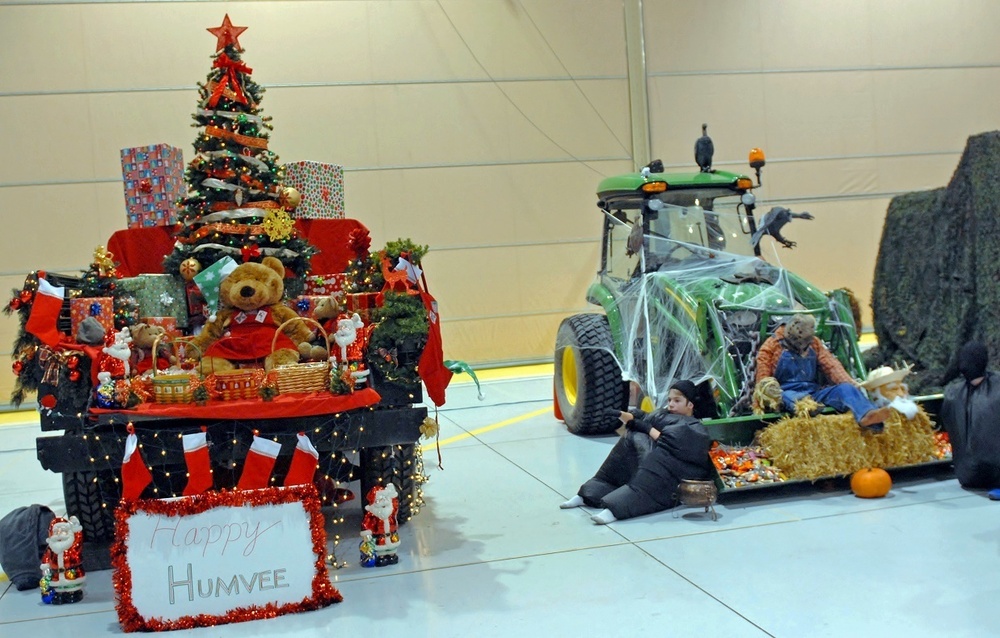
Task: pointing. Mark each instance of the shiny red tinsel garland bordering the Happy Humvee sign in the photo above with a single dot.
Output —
(324, 593)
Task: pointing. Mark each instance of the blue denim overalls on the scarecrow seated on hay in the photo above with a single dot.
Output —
(797, 375)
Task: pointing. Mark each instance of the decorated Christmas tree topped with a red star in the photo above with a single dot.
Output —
(236, 203)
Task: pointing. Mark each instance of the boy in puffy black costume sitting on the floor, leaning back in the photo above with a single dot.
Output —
(644, 468)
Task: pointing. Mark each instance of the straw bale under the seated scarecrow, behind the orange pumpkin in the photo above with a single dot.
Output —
(832, 444)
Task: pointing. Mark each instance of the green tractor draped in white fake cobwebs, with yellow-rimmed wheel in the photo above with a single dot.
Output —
(685, 295)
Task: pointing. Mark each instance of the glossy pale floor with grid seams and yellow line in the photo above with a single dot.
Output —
(491, 553)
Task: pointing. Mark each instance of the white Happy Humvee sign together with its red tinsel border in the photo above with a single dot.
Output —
(220, 557)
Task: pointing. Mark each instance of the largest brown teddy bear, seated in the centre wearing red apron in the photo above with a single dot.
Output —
(250, 314)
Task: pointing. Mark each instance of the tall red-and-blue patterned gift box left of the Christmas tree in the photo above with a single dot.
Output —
(153, 181)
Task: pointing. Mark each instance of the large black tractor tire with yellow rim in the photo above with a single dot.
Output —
(588, 380)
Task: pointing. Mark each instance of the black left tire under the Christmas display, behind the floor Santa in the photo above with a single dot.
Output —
(92, 497)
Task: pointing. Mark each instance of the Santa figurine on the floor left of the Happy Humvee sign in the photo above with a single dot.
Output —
(62, 566)
